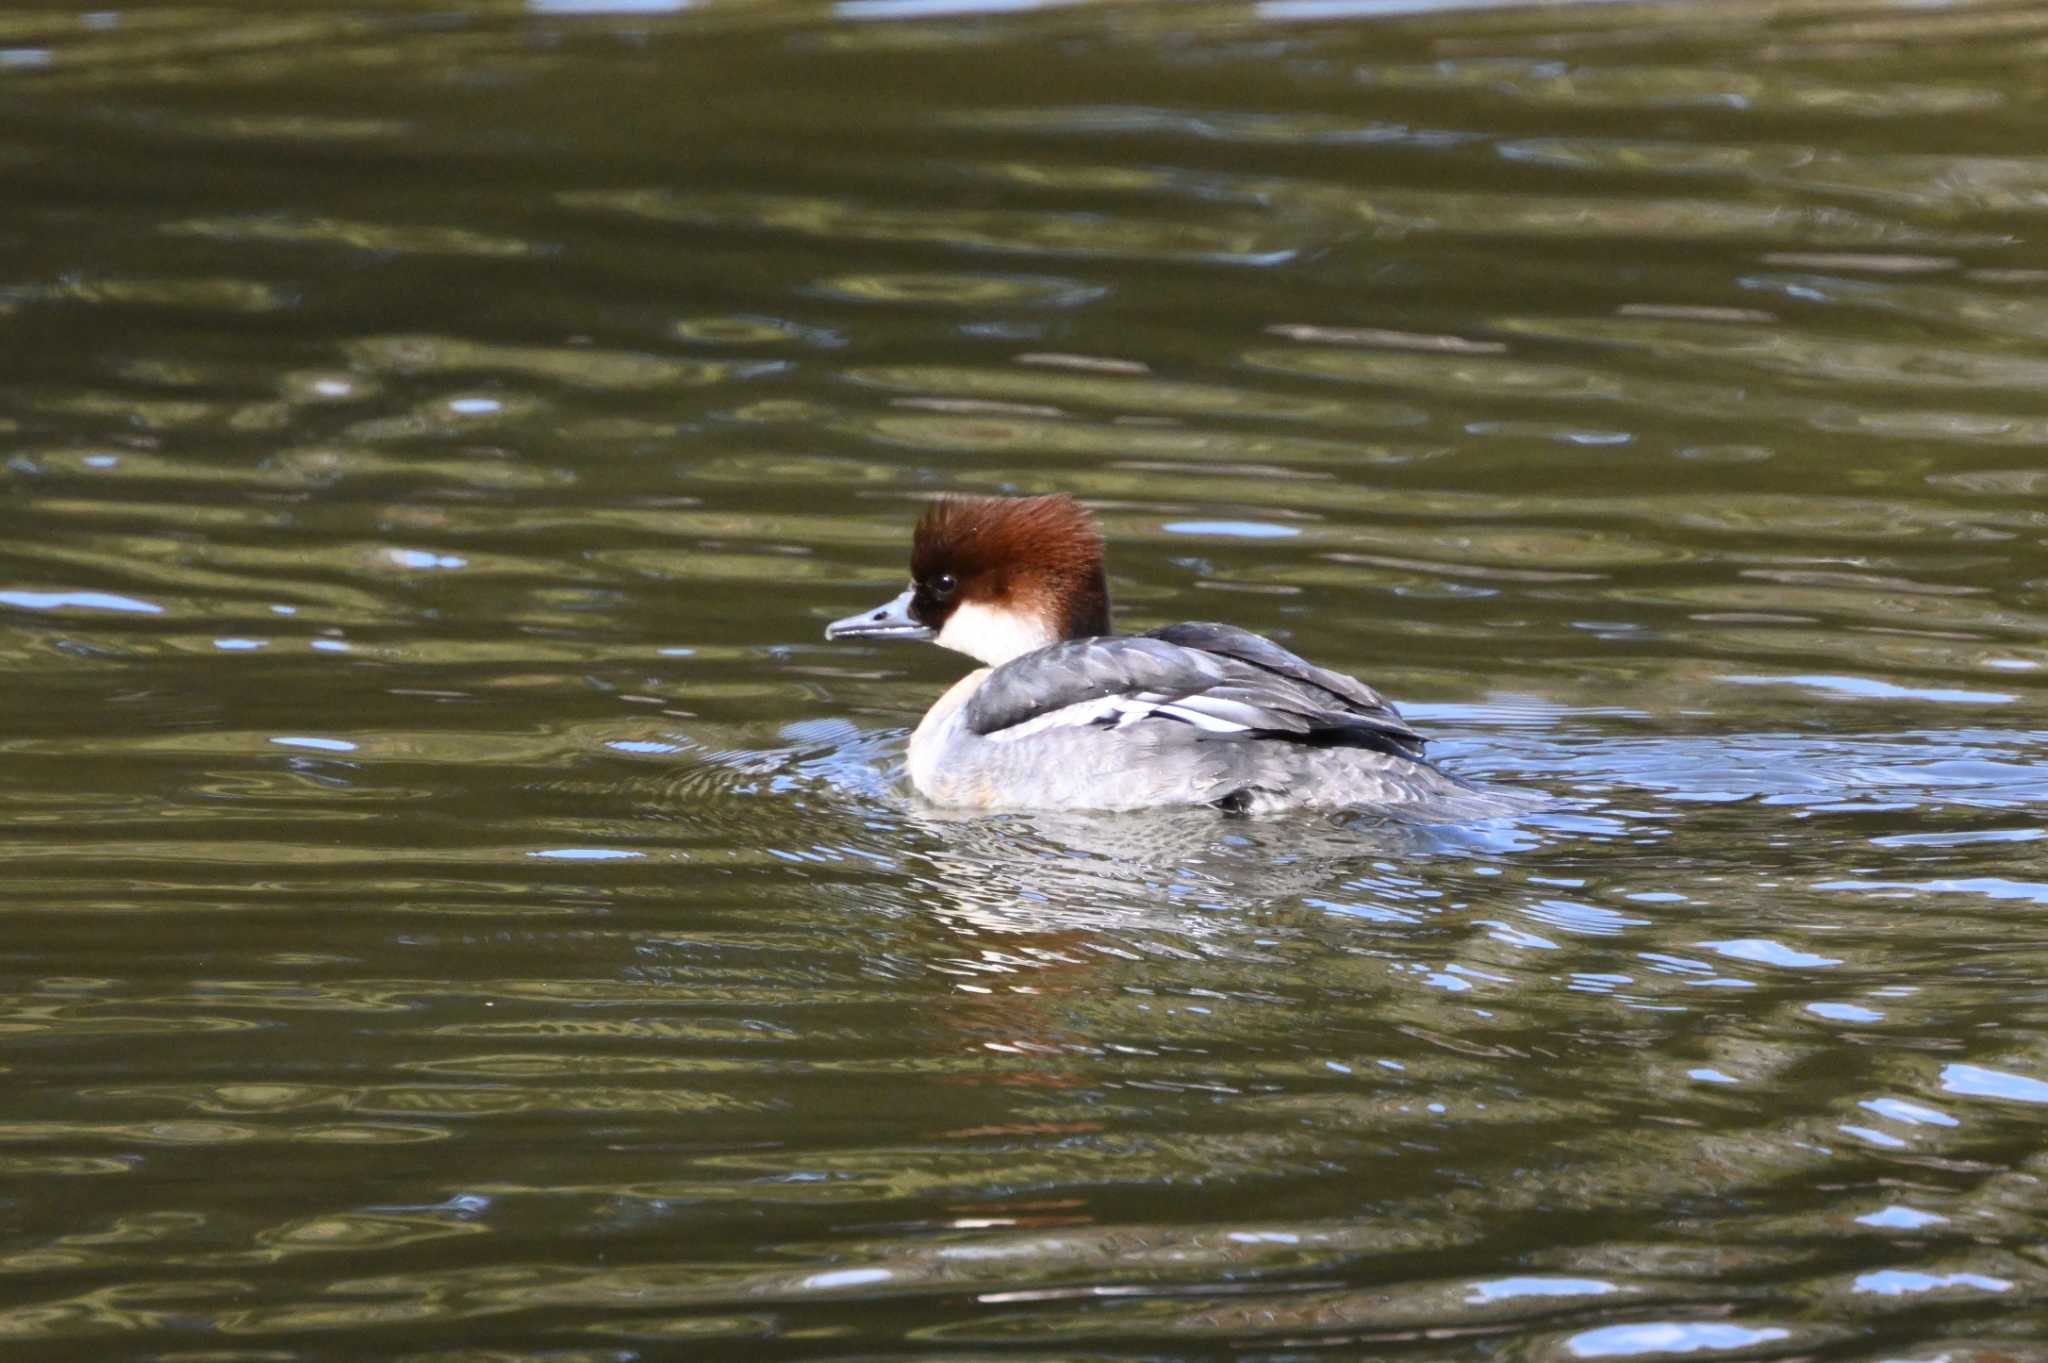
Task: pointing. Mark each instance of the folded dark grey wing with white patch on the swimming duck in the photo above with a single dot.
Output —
(1209, 674)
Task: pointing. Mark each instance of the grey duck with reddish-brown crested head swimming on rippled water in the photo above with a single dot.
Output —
(1068, 715)
